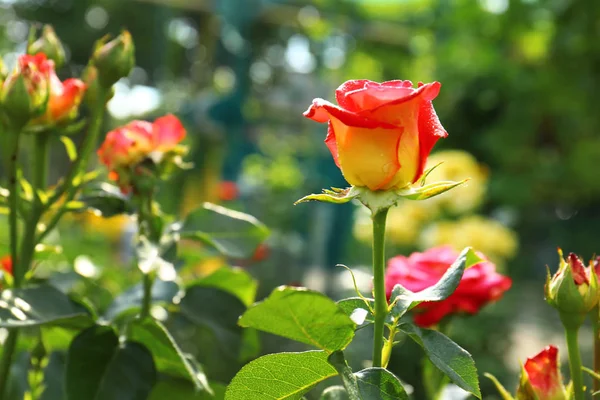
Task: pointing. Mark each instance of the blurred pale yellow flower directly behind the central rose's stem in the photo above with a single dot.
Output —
(404, 223)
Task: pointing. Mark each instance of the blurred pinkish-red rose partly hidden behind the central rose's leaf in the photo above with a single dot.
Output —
(480, 284)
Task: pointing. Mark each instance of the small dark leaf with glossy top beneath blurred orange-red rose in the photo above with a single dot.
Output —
(105, 199)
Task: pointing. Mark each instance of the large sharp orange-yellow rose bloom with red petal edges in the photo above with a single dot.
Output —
(380, 134)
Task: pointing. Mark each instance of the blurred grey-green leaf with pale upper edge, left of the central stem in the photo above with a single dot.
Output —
(233, 233)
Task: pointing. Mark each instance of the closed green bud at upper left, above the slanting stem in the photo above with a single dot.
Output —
(114, 59)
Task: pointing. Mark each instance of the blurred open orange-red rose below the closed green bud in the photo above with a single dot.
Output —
(130, 144)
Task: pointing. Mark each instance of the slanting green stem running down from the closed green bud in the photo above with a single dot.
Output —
(71, 183)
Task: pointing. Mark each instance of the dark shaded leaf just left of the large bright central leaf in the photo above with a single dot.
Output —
(217, 310)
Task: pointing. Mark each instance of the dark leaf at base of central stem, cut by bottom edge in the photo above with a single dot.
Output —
(379, 383)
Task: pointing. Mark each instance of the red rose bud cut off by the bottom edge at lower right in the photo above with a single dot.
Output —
(541, 378)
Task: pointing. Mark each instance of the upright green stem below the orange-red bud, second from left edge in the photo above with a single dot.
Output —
(38, 183)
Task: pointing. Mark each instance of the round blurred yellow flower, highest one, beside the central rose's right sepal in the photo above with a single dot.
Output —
(457, 165)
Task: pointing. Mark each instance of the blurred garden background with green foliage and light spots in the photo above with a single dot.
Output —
(519, 84)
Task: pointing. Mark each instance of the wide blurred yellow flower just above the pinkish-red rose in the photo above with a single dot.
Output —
(486, 235)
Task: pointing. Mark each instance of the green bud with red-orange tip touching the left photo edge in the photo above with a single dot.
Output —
(25, 92)
